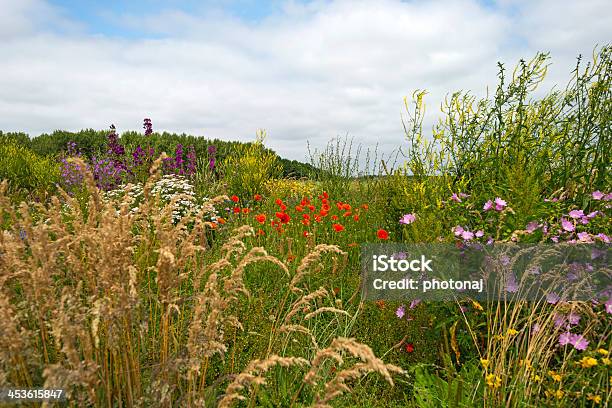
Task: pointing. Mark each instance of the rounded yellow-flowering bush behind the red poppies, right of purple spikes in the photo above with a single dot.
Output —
(246, 171)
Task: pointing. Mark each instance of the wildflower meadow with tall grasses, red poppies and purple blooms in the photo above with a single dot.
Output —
(148, 269)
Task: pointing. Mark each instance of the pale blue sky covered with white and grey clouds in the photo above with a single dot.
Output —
(304, 71)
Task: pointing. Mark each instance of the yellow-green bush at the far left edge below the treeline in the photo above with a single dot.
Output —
(26, 171)
